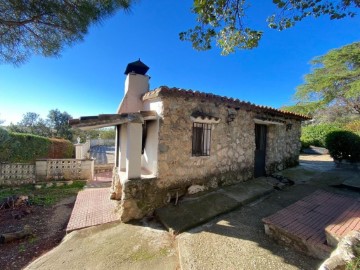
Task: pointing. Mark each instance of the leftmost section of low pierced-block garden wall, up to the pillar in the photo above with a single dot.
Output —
(17, 174)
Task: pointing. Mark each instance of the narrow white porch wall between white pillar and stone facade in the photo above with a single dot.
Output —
(150, 157)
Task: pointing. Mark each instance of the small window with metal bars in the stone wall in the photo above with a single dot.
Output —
(201, 139)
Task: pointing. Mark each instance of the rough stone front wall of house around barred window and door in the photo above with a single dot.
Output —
(232, 151)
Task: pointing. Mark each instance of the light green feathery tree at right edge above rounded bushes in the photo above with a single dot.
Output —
(333, 84)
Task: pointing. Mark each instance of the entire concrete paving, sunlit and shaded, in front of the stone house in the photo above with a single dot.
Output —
(231, 241)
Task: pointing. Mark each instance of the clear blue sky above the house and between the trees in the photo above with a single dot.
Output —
(88, 78)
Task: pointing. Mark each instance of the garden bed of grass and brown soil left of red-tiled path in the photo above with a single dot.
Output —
(47, 216)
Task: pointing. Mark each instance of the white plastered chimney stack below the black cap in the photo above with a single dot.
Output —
(135, 86)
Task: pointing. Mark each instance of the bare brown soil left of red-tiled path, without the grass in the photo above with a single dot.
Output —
(48, 224)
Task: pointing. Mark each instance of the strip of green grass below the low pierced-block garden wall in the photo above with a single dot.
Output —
(44, 196)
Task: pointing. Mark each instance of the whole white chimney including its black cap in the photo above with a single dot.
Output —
(136, 84)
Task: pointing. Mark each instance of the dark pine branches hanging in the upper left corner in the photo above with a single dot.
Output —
(45, 27)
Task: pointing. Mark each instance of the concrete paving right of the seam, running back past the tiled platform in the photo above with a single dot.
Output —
(237, 240)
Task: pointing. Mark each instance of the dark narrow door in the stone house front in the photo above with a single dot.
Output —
(260, 150)
